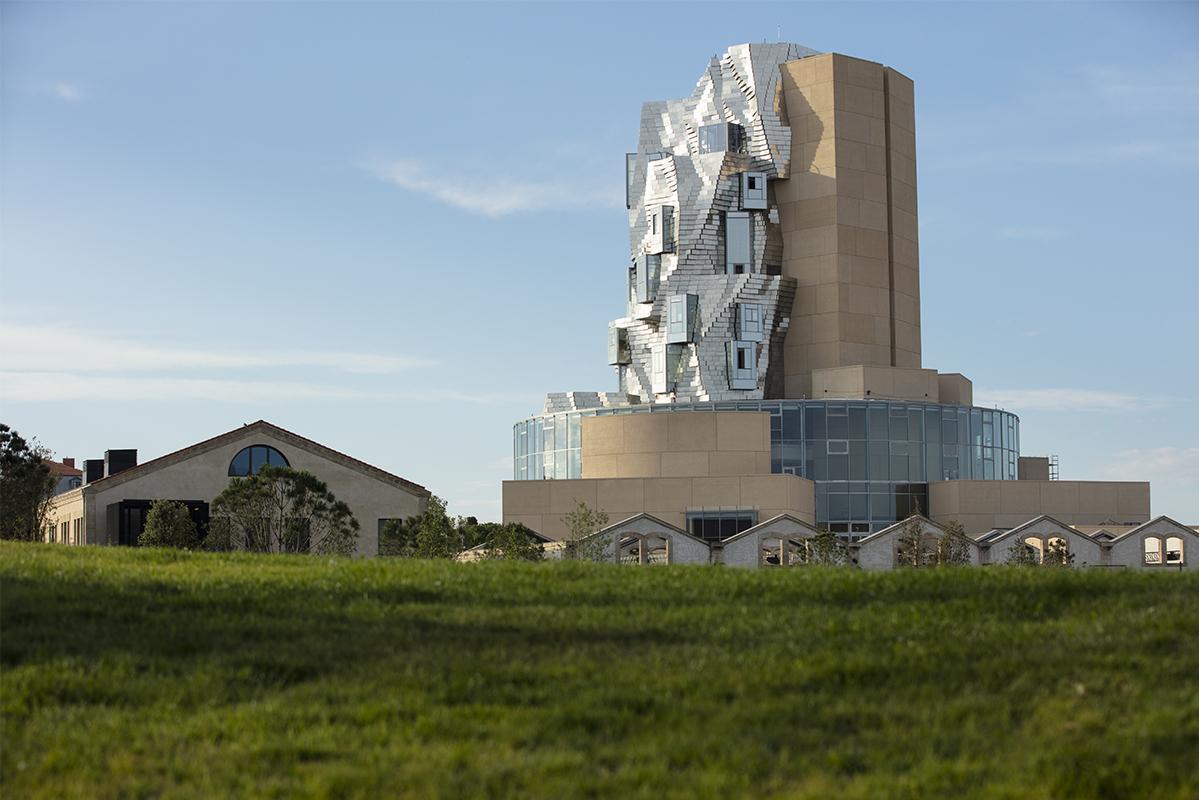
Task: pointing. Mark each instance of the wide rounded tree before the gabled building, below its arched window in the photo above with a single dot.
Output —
(285, 510)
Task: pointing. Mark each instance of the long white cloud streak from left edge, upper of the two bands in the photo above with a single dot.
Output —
(37, 347)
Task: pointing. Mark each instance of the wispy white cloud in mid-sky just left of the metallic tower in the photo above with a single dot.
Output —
(493, 196)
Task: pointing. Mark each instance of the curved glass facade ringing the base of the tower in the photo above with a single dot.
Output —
(871, 460)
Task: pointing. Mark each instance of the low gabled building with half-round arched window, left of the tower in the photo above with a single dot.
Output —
(111, 510)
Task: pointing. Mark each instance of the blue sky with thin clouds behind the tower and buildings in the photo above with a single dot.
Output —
(394, 227)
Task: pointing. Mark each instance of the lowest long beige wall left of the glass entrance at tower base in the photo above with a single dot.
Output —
(541, 504)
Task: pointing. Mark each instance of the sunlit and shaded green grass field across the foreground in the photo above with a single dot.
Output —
(149, 673)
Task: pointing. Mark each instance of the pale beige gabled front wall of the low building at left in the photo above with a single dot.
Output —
(204, 476)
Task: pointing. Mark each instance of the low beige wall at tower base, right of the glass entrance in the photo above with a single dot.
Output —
(984, 506)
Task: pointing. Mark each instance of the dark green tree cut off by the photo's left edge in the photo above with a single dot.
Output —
(26, 486)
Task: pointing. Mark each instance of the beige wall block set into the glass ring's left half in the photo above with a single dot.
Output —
(697, 444)
